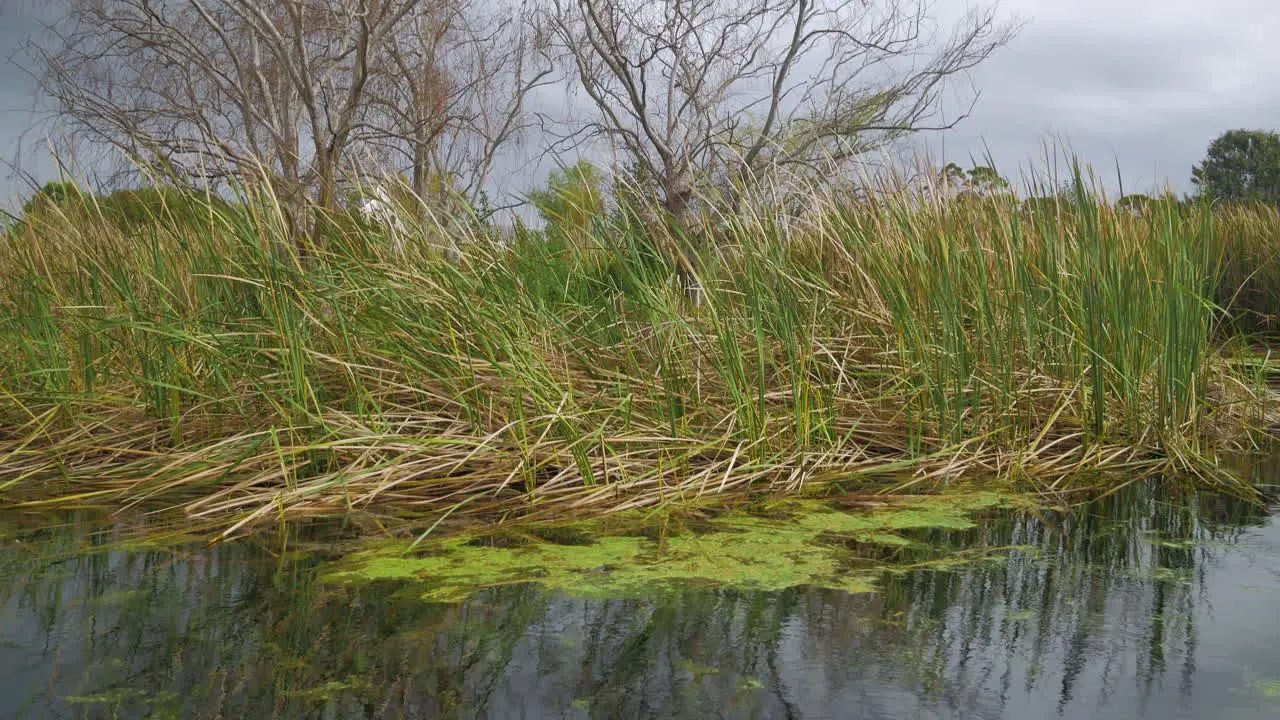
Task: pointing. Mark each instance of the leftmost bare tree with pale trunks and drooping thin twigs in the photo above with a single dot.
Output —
(218, 88)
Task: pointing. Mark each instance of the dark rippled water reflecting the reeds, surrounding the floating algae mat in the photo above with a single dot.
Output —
(1149, 604)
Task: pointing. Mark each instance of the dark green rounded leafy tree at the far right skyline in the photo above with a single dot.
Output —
(1241, 166)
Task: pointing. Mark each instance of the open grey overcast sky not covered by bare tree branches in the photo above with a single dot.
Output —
(1148, 84)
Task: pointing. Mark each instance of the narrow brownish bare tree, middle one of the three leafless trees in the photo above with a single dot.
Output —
(452, 92)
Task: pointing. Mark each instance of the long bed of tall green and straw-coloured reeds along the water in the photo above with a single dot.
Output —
(207, 367)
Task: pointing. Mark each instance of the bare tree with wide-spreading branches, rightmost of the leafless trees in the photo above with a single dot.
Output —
(732, 92)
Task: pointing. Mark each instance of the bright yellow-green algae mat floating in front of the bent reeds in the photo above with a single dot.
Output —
(799, 544)
